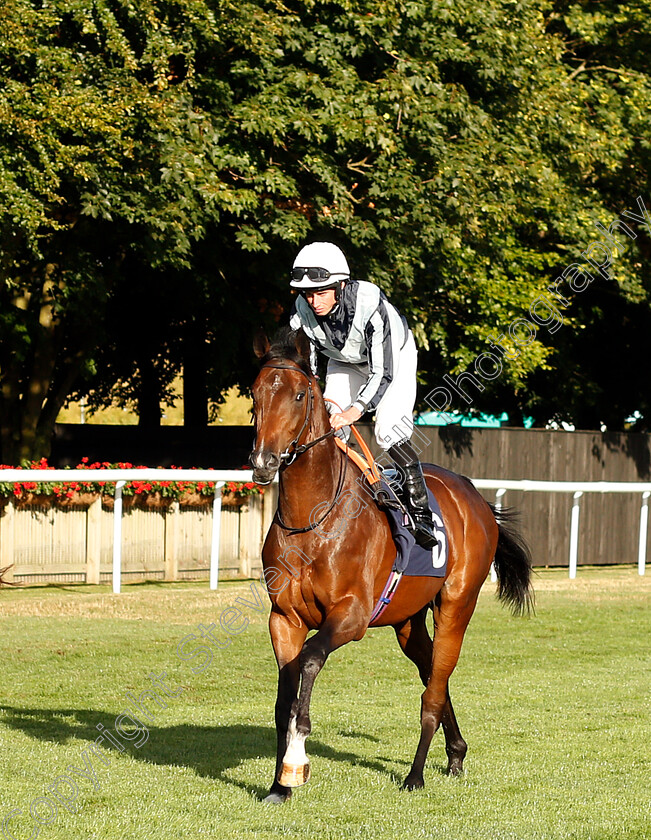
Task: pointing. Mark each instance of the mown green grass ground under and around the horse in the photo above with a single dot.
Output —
(555, 709)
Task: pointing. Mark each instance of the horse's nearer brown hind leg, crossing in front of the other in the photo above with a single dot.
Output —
(451, 618)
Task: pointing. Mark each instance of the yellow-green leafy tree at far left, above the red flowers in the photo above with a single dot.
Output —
(102, 164)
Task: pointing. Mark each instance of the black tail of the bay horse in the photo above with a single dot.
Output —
(512, 564)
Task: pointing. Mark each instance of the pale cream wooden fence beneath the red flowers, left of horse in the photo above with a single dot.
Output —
(46, 544)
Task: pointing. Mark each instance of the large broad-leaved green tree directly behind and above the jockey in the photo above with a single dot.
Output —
(453, 150)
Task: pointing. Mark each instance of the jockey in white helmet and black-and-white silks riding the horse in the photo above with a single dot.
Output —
(372, 362)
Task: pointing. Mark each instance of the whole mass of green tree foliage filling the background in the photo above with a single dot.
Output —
(161, 163)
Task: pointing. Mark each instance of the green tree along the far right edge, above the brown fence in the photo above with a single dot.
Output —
(595, 376)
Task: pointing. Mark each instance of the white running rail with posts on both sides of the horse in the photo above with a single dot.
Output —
(220, 477)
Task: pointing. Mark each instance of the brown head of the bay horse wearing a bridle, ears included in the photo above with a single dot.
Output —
(282, 400)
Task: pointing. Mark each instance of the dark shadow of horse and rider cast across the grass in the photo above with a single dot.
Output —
(211, 751)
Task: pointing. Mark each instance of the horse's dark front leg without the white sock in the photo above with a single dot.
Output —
(287, 639)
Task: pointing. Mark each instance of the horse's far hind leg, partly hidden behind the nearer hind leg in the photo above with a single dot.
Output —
(416, 643)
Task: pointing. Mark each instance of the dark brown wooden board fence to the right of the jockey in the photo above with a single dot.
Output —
(609, 524)
